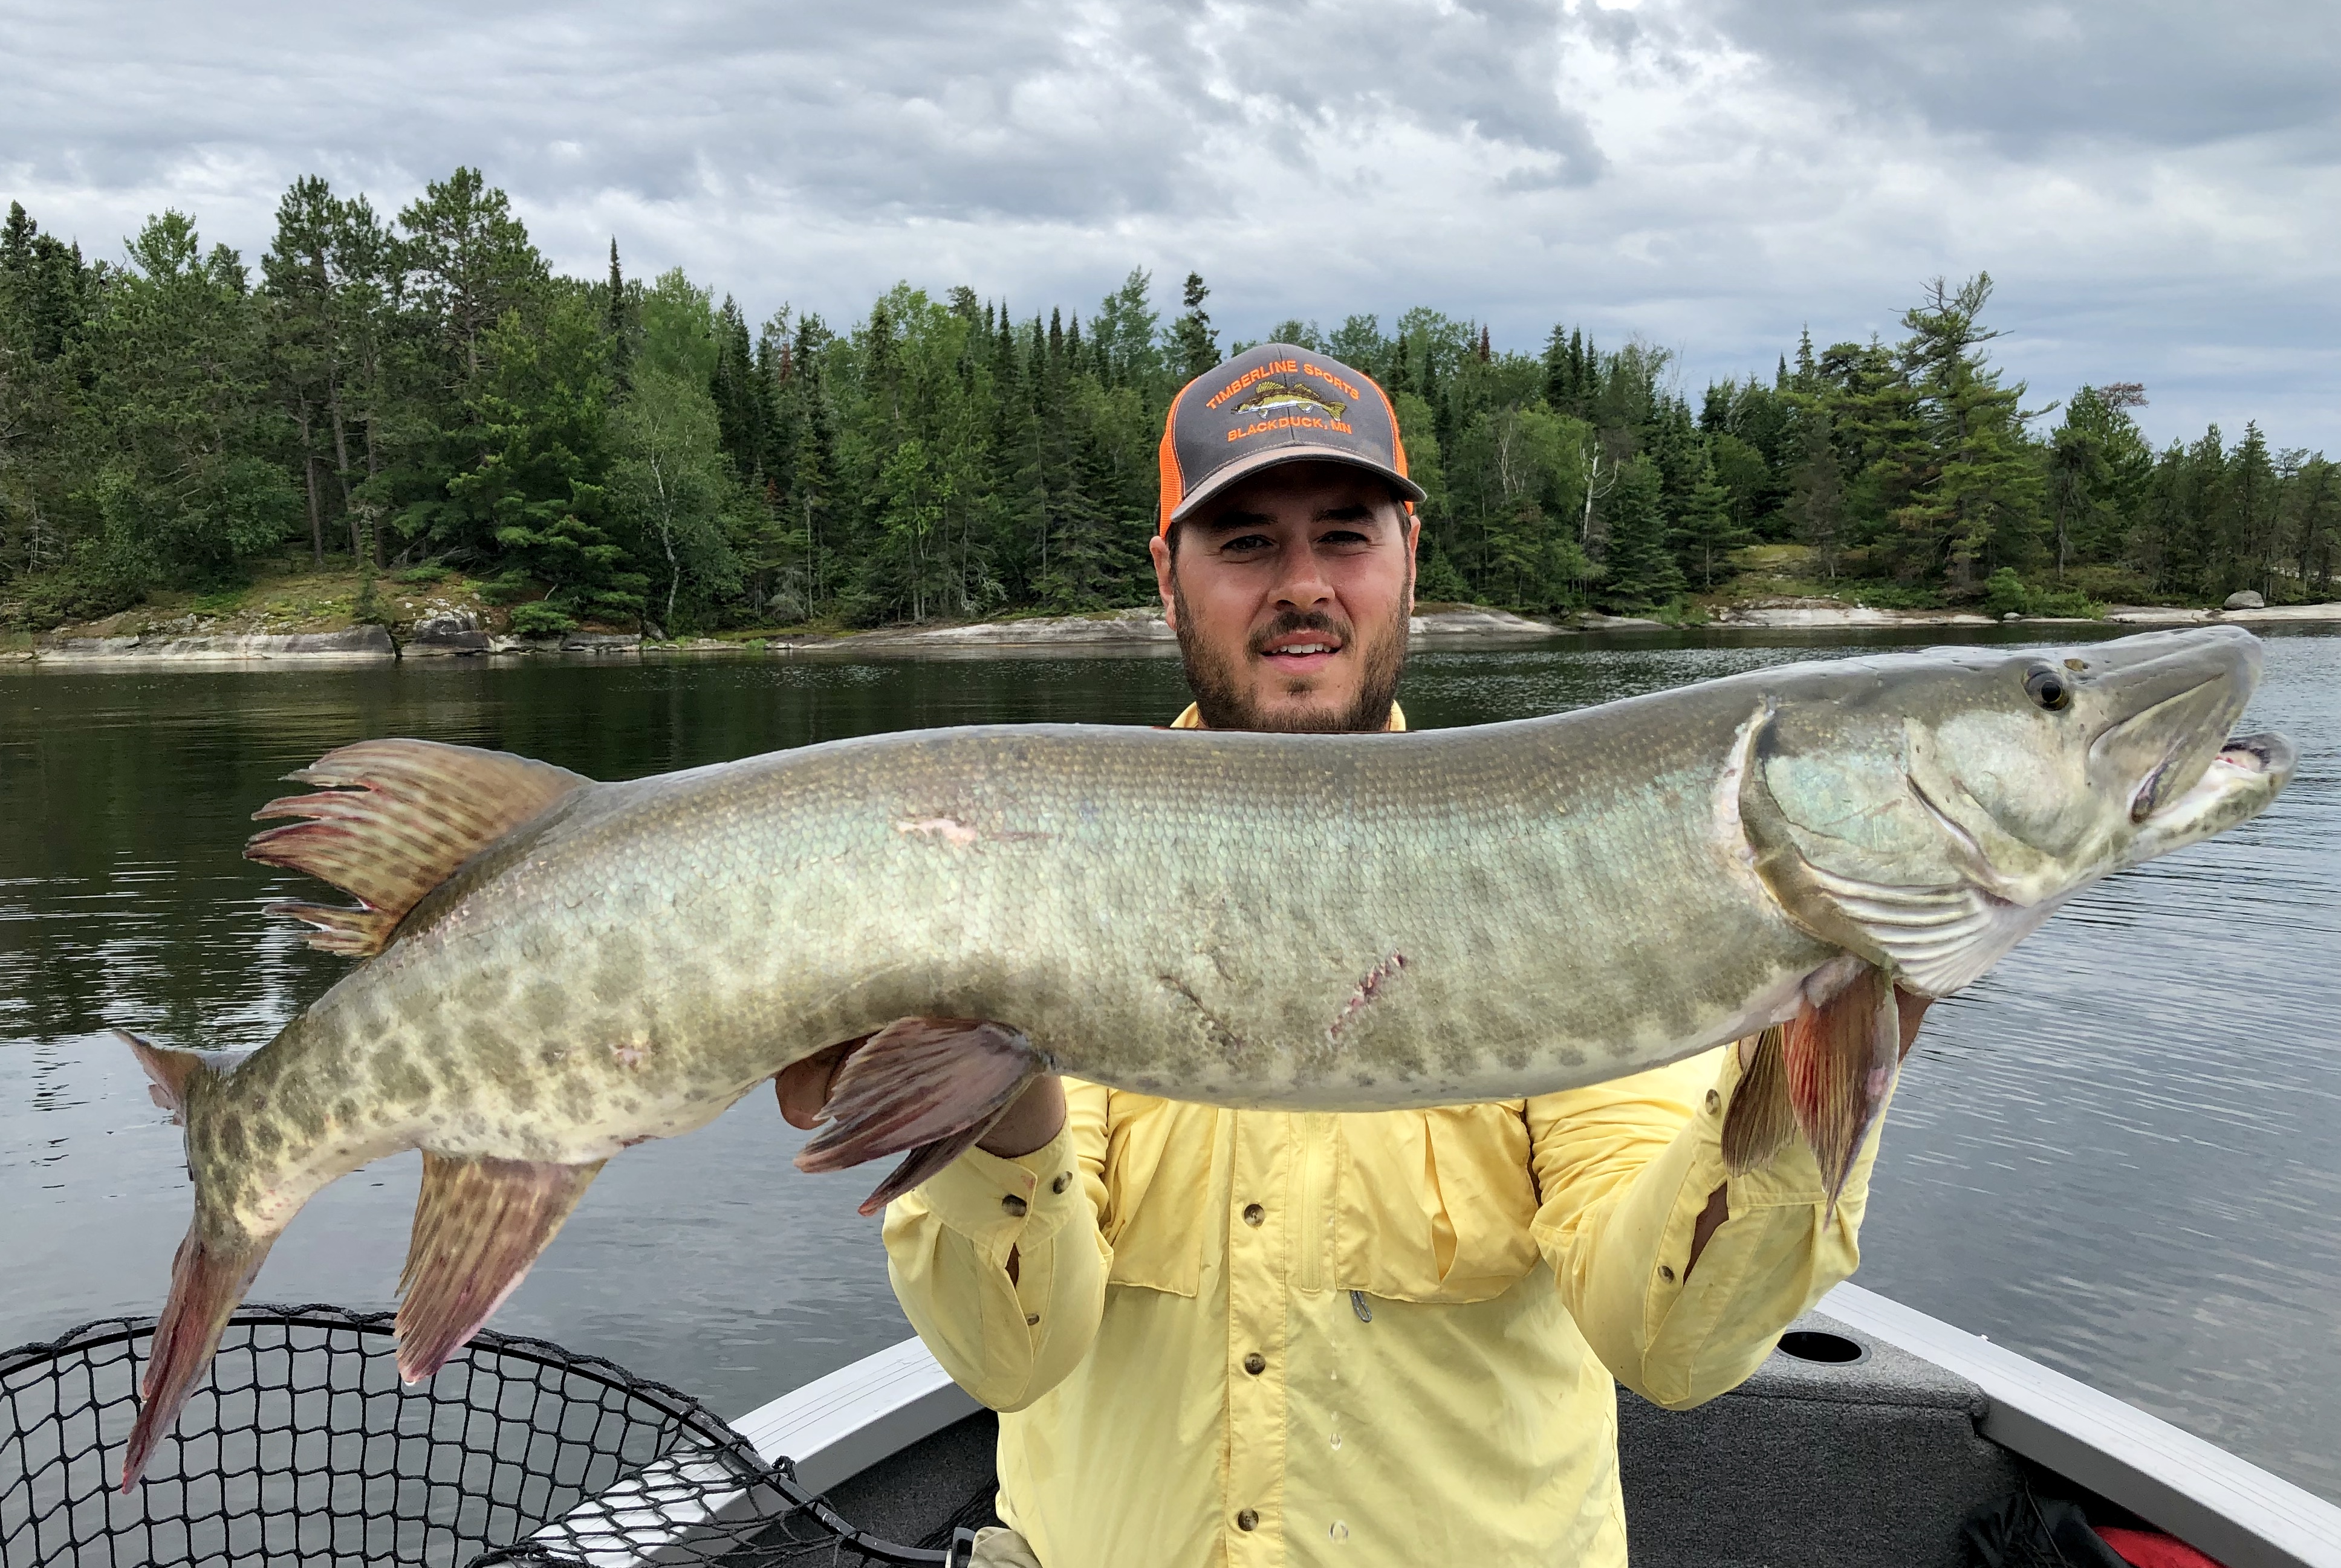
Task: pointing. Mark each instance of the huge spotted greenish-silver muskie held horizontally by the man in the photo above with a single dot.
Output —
(558, 970)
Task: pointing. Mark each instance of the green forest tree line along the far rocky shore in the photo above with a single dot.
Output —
(427, 394)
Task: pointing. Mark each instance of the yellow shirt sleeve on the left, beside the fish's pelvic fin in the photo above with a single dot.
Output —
(949, 1246)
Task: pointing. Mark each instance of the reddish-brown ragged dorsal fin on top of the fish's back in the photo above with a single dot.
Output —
(394, 820)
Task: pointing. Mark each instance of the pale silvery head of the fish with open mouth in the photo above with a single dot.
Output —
(1940, 806)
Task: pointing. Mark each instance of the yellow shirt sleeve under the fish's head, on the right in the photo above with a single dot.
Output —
(1626, 1171)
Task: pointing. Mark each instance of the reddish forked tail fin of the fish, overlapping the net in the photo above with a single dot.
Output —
(210, 1274)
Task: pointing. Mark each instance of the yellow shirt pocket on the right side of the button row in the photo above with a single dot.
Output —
(1434, 1206)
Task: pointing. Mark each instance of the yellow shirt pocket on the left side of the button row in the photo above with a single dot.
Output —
(1158, 1216)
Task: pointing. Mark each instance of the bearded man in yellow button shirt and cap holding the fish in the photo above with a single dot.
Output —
(1256, 1337)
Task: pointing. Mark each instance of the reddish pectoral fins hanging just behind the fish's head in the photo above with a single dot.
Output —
(1825, 1075)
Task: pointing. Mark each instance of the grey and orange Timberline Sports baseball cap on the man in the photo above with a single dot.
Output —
(1277, 404)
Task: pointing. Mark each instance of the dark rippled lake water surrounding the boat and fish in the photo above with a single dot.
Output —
(2120, 1153)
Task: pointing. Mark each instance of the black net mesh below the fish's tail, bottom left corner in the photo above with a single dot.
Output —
(306, 1450)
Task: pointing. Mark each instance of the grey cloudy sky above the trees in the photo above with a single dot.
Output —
(2153, 184)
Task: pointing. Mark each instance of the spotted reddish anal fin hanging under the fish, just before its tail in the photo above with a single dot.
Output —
(479, 1225)
